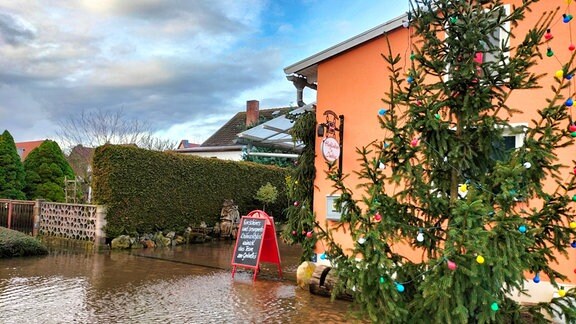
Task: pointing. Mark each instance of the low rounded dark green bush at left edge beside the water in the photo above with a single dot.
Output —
(14, 244)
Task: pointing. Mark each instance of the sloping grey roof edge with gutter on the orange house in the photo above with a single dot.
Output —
(308, 67)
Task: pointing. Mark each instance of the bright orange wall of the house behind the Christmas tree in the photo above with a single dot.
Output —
(353, 83)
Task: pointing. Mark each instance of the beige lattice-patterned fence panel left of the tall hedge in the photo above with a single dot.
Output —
(71, 221)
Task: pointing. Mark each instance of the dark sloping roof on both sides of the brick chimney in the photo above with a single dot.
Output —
(227, 134)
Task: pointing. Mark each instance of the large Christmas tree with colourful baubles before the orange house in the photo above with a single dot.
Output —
(476, 214)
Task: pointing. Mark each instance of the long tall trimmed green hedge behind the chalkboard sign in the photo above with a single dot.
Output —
(147, 191)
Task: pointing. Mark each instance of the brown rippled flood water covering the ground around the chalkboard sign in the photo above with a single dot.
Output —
(191, 284)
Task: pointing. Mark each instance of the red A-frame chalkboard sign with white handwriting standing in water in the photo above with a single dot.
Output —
(255, 243)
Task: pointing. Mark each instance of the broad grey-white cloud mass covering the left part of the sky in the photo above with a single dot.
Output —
(163, 62)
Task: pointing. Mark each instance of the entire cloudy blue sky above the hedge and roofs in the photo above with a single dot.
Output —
(184, 67)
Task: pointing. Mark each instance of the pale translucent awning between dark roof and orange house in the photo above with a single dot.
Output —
(274, 133)
